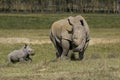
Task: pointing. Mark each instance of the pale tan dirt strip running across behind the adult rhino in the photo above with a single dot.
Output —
(13, 40)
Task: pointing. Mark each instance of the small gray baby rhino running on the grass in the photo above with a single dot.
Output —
(21, 55)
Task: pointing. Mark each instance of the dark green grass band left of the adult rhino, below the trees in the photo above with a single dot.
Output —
(28, 21)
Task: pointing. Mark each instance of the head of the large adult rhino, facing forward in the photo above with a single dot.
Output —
(78, 35)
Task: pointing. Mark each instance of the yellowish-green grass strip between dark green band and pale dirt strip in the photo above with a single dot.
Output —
(44, 33)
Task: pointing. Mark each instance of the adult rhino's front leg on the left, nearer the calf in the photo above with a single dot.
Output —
(65, 48)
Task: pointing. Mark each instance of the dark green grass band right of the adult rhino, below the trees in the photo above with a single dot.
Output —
(103, 20)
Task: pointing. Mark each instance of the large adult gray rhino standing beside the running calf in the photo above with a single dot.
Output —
(71, 33)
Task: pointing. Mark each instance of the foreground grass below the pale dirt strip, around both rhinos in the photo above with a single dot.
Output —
(101, 62)
